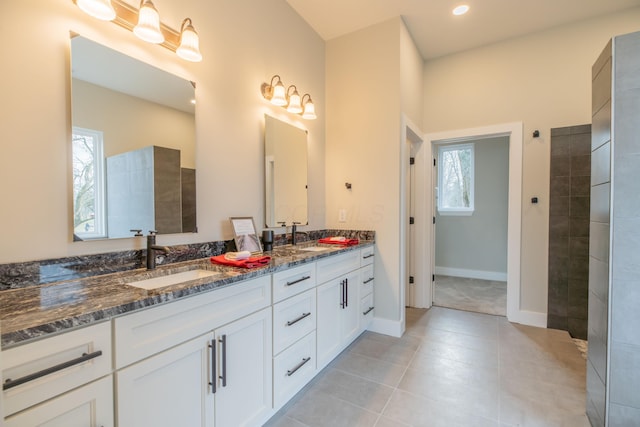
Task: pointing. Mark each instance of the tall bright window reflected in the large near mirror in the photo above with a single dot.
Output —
(88, 184)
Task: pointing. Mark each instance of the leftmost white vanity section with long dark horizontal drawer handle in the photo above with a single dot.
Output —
(36, 377)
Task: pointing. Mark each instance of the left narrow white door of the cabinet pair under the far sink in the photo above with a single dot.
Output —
(329, 300)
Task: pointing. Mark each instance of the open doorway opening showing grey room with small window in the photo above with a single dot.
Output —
(471, 188)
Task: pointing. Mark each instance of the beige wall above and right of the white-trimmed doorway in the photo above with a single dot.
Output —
(543, 80)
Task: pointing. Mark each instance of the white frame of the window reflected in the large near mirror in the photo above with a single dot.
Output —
(99, 190)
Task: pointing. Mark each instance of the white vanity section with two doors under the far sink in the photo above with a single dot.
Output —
(338, 305)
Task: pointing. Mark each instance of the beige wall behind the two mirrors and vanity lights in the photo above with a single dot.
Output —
(243, 44)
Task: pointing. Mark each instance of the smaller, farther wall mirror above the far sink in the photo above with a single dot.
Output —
(285, 173)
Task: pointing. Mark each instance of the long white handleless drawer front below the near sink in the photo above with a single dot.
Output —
(145, 333)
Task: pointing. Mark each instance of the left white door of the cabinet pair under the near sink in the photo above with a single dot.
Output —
(169, 389)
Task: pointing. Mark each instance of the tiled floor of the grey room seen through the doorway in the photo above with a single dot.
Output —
(480, 296)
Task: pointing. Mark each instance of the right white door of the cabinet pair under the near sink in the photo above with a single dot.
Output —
(244, 387)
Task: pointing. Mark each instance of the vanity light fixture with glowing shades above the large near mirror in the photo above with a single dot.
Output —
(145, 24)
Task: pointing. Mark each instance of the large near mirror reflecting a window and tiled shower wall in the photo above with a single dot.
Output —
(133, 146)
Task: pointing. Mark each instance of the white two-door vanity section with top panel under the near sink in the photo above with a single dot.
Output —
(201, 361)
